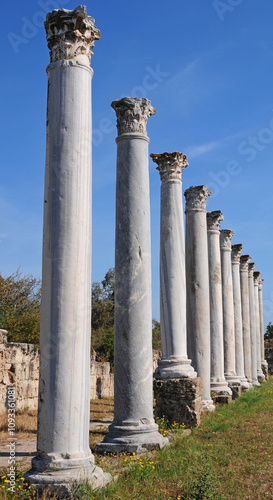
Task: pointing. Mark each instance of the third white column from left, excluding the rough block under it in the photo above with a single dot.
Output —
(173, 327)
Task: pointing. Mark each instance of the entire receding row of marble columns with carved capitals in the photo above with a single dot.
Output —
(195, 320)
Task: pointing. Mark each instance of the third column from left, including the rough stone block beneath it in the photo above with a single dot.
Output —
(177, 398)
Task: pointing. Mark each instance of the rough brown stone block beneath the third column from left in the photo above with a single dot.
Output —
(179, 400)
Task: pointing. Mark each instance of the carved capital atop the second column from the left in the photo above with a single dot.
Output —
(132, 114)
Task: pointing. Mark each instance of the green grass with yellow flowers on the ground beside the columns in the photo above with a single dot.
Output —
(230, 456)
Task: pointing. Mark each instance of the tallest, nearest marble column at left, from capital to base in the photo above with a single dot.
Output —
(63, 452)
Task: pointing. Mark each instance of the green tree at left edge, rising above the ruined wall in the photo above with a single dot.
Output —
(20, 298)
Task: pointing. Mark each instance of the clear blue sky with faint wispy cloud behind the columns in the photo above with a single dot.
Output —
(207, 67)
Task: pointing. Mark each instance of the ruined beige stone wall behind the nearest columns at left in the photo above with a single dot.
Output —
(19, 367)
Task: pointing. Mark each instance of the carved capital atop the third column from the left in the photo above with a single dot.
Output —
(170, 165)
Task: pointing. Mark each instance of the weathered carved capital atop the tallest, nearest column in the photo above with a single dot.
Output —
(71, 34)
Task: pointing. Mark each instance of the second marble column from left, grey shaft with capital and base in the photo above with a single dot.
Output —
(133, 428)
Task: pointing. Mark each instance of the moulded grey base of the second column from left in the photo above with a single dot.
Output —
(132, 439)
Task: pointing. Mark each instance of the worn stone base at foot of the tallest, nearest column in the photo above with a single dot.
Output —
(62, 480)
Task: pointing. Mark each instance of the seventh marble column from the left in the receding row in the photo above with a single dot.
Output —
(238, 325)
